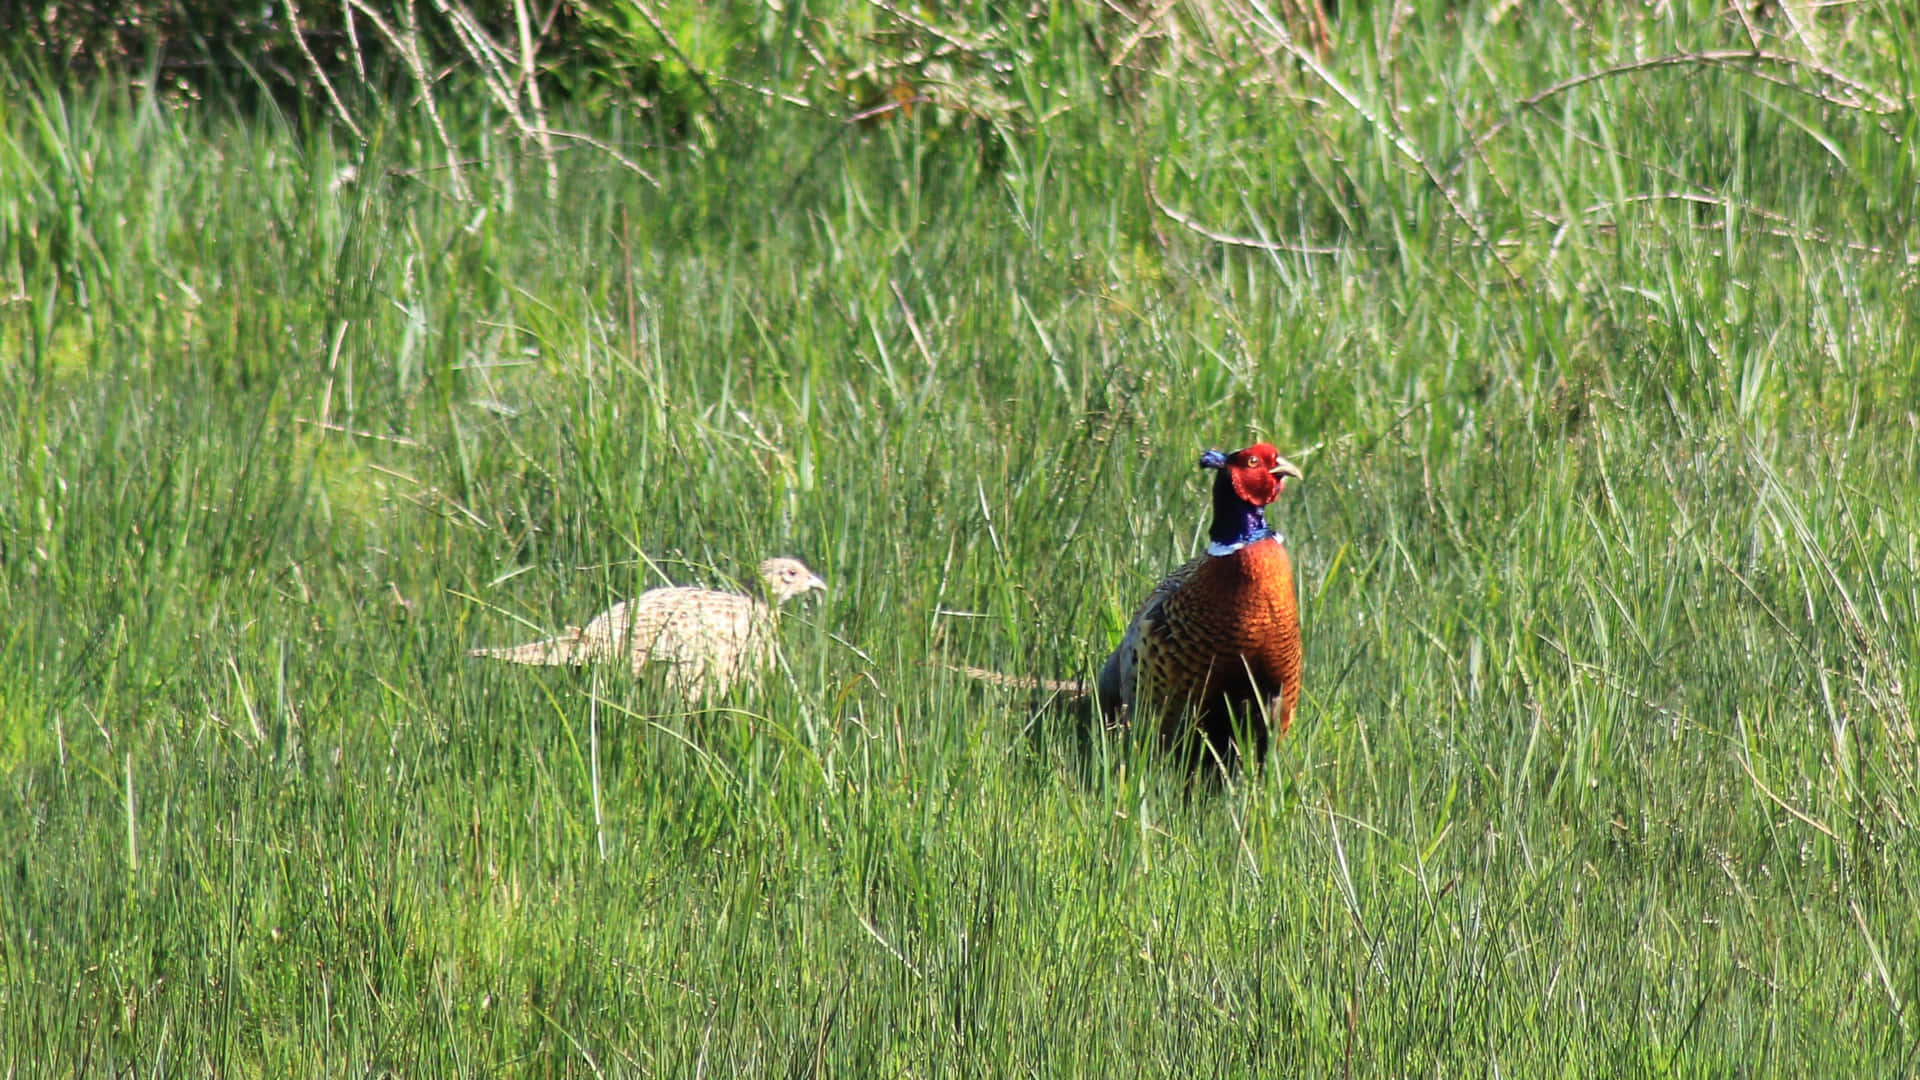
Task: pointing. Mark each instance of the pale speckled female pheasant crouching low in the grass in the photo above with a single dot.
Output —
(706, 639)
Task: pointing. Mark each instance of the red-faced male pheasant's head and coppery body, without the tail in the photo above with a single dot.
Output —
(1216, 649)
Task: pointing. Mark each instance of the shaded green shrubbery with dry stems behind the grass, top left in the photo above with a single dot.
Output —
(681, 64)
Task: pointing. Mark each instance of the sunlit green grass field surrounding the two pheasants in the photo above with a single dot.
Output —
(1610, 416)
